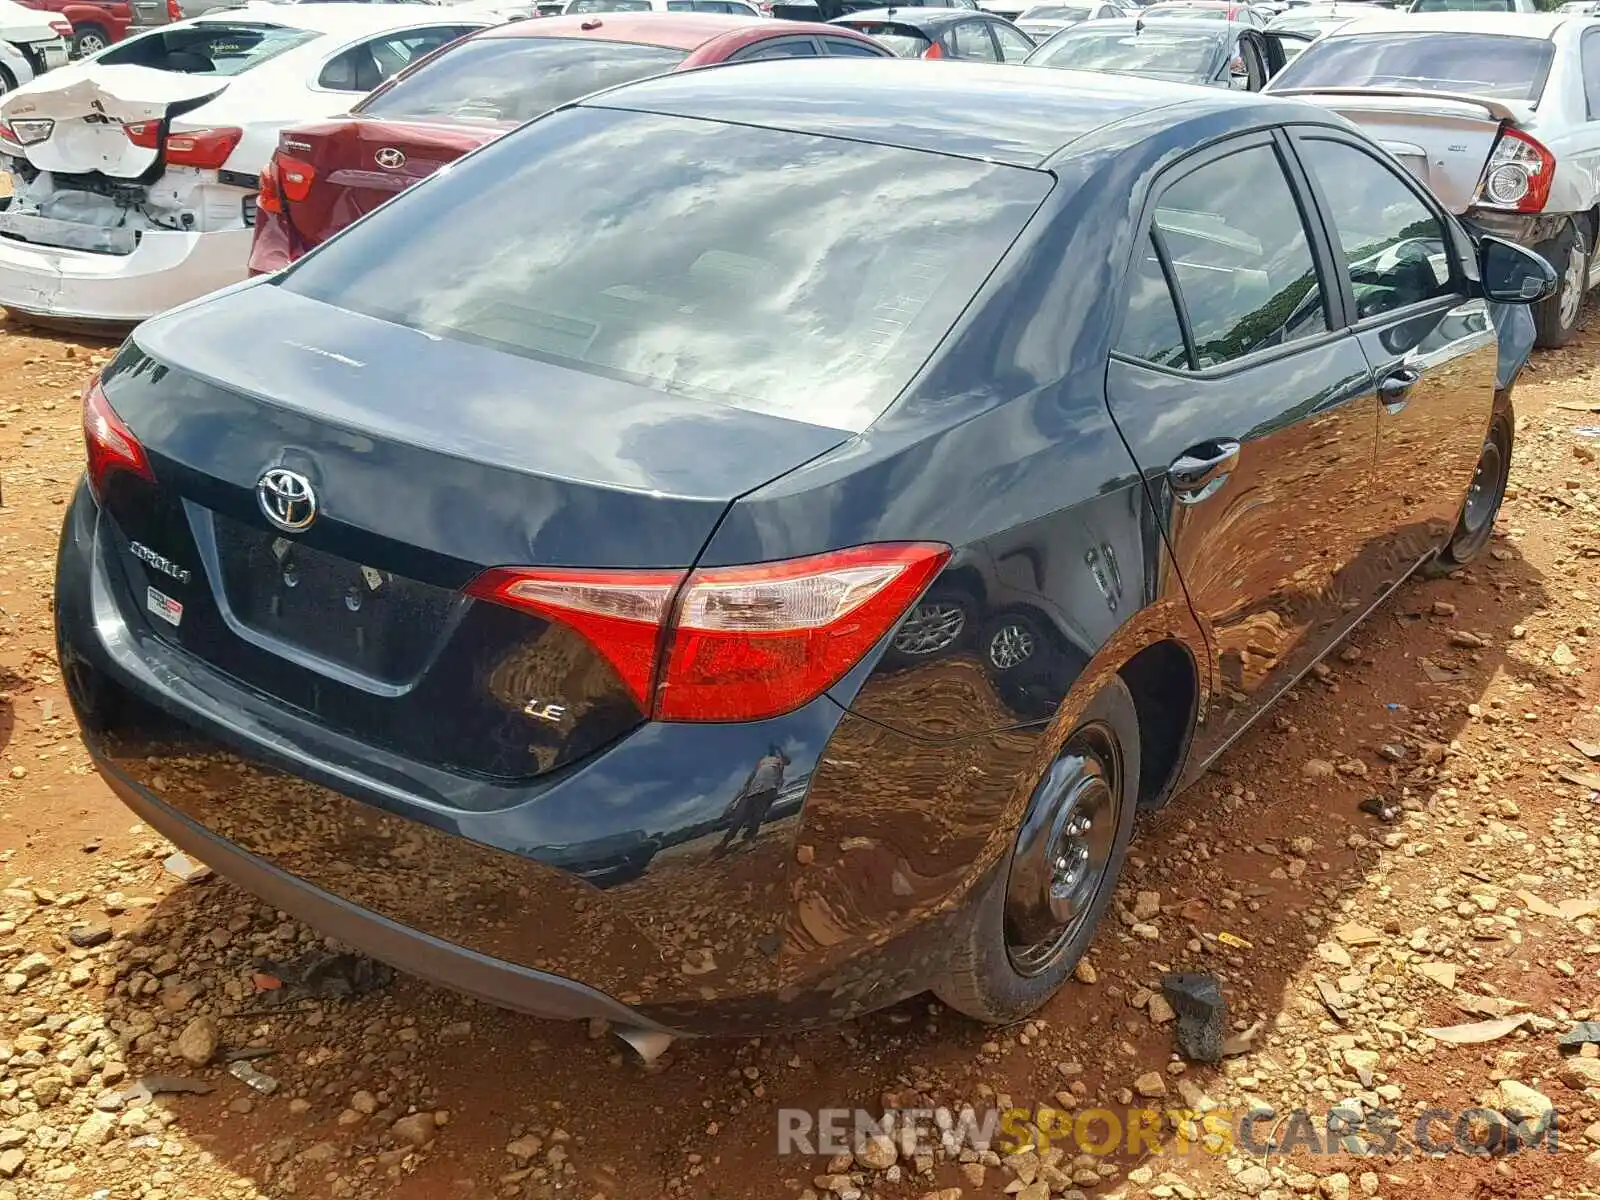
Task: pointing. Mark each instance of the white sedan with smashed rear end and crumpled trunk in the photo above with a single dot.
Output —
(134, 174)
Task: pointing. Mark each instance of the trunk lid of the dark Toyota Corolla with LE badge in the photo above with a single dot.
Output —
(433, 462)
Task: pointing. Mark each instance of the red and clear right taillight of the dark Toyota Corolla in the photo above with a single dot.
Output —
(730, 644)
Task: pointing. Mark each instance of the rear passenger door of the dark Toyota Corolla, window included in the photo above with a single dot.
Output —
(1252, 418)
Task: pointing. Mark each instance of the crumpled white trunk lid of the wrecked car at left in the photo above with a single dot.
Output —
(90, 110)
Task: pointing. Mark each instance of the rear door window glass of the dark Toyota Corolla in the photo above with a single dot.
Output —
(1241, 257)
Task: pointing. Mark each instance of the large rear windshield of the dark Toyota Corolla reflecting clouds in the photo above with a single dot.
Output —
(783, 273)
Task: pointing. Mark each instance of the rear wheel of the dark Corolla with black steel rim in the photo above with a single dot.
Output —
(1039, 914)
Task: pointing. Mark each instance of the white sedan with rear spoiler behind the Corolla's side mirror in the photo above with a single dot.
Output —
(1497, 113)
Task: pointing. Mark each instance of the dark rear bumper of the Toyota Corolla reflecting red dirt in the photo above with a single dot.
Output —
(602, 890)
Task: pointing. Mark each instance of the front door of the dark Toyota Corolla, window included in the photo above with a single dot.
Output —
(1430, 343)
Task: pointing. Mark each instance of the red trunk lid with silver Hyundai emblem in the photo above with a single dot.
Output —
(354, 166)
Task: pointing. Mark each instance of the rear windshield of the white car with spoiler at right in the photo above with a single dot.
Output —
(1481, 65)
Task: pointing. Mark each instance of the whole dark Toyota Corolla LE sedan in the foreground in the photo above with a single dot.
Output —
(737, 551)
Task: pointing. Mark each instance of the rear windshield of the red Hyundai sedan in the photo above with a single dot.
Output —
(514, 79)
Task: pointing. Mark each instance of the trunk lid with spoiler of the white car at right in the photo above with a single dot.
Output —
(1444, 140)
